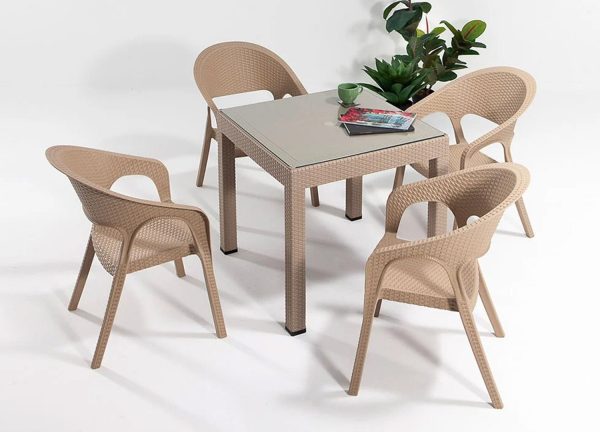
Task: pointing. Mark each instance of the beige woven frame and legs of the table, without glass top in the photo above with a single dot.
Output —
(297, 180)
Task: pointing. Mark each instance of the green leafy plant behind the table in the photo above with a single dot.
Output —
(409, 77)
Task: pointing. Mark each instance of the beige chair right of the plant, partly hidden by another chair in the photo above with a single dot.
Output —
(499, 94)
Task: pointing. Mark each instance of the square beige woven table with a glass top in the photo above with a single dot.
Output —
(299, 142)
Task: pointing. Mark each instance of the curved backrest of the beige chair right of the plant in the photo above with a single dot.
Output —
(498, 94)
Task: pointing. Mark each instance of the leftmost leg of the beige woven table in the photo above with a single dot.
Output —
(227, 205)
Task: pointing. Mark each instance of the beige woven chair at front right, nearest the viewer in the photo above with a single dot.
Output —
(442, 272)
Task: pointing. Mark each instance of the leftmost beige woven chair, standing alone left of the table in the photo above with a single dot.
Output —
(130, 234)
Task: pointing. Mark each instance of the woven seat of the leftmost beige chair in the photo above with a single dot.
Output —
(159, 241)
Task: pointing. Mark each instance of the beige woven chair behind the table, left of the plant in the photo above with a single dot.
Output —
(237, 67)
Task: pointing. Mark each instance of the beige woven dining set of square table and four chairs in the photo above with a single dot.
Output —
(298, 141)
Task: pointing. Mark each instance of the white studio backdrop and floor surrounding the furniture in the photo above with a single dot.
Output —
(117, 75)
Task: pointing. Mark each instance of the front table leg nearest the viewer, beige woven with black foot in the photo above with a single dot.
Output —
(295, 265)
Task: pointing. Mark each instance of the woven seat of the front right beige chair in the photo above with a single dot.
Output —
(424, 282)
